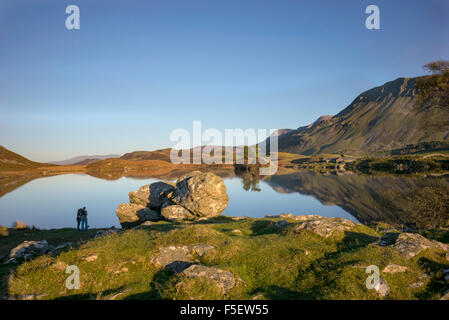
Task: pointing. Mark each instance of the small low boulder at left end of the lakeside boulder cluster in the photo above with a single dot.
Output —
(131, 214)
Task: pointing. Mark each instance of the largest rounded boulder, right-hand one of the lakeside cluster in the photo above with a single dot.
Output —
(203, 194)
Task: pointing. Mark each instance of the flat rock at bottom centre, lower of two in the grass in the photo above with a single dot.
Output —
(223, 279)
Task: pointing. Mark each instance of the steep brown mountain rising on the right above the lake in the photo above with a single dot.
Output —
(383, 118)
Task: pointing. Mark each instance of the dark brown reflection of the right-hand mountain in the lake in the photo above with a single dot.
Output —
(421, 202)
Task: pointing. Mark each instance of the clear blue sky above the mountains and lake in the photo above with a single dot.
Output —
(136, 70)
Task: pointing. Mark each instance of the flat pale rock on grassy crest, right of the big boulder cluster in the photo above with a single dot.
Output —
(325, 227)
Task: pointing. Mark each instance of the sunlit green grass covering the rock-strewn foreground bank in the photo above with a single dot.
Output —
(268, 262)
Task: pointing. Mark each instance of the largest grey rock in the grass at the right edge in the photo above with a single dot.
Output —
(411, 244)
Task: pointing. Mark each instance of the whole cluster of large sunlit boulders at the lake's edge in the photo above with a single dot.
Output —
(195, 195)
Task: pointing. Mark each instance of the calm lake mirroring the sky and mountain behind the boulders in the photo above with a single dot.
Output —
(52, 202)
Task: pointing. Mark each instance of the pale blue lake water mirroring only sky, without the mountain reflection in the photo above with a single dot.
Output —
(52, 202)
